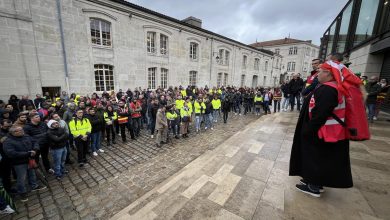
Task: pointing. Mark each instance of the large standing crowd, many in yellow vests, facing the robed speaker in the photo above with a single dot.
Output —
(33, 130)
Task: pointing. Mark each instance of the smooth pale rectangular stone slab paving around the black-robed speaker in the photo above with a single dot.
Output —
(246, 177)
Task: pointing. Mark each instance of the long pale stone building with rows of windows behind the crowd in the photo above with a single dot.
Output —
(85, 46)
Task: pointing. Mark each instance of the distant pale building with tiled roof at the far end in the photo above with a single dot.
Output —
(297, 55)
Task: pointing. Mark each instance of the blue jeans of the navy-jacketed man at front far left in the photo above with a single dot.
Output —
(21, 172)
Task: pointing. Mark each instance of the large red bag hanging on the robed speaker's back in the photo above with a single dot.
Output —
(356, 122)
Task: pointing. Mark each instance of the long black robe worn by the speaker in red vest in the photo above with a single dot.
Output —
(318, 162)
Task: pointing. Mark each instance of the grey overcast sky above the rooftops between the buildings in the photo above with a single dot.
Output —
(248, 20)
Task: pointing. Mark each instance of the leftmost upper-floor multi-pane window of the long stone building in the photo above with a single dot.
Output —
(100, 32)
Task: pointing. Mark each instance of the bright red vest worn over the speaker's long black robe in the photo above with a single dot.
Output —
(332, 130)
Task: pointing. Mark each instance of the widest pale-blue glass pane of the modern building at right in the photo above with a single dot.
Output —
(366, 20)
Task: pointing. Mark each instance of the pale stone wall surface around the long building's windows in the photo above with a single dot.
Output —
(31, 54)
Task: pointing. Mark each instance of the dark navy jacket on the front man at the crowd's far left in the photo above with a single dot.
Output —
(18, 148)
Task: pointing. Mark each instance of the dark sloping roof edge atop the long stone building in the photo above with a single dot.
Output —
(182, 23)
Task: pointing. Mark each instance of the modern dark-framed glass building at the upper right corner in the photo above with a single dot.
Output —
(361, 32)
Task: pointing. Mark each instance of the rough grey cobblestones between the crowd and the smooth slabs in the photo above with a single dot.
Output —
(121, 175)
